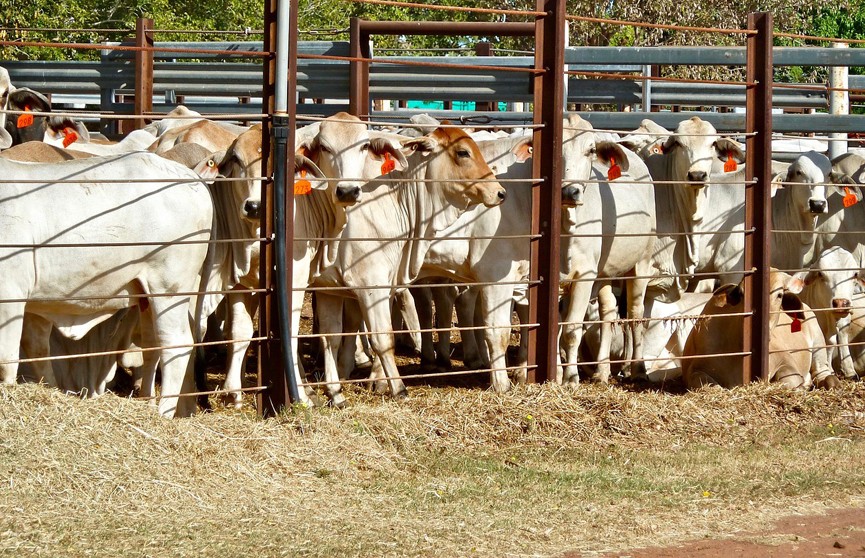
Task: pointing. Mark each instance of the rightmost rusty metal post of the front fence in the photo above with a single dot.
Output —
(758, 198)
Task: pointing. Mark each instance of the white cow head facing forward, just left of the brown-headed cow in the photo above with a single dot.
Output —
(344, 150)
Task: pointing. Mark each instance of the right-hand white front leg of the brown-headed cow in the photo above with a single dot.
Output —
(375, 305)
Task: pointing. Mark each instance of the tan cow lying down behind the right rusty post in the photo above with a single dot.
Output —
(797, 353)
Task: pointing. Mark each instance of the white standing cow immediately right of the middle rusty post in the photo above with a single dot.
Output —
(596, 212)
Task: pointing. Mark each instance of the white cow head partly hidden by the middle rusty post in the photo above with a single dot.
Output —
(580, 150)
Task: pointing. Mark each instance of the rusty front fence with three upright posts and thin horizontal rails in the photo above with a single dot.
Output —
(547, 130)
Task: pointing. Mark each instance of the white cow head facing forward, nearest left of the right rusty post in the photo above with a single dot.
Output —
(691, 151)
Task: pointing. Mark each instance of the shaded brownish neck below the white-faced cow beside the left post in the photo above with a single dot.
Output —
(319, 217)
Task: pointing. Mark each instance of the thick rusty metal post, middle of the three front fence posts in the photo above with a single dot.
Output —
(549, 100)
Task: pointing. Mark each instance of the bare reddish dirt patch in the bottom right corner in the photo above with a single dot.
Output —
(837, 533)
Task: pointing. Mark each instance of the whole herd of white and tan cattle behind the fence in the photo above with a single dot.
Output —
(123, 250)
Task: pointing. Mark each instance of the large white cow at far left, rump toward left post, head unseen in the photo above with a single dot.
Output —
(75, 288)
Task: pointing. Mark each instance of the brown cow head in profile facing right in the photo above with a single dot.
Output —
(453, 159)
